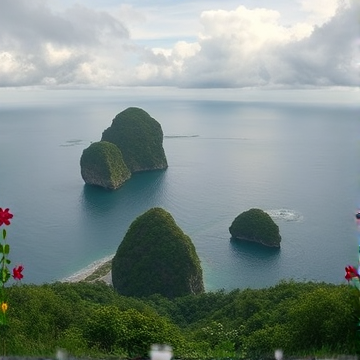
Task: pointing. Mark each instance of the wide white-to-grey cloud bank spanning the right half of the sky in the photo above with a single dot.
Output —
(244, 47)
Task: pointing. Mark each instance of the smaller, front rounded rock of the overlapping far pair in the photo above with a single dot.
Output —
(102, 164)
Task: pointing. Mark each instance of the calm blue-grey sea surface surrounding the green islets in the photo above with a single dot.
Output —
(296, 160)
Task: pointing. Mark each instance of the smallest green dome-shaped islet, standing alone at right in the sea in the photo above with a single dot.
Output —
(256, 225)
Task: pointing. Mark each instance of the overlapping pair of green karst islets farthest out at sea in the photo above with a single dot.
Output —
(133, 143)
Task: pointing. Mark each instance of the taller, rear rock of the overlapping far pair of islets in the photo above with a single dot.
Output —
(139, 138)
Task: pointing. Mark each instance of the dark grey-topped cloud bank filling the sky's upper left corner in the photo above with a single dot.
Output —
(39, 46)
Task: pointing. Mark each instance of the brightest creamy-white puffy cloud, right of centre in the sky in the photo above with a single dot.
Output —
(234, 46)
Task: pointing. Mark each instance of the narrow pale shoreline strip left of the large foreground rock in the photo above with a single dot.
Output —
(96, 271)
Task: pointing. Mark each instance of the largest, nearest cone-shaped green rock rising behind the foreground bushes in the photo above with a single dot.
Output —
(155, 256)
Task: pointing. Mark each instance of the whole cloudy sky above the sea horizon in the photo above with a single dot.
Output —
(186, 44)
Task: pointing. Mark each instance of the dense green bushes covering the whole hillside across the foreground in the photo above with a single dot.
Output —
(91, 319)
